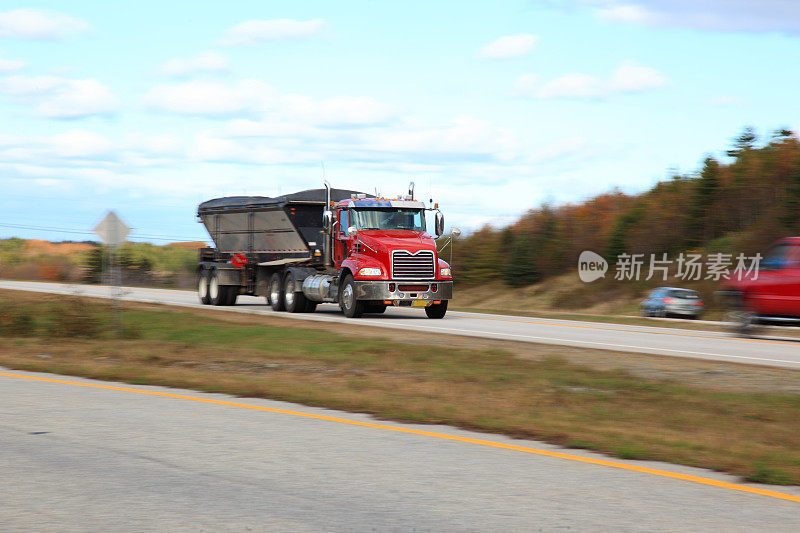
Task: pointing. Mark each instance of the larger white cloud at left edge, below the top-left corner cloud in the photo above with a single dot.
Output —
(61, 98)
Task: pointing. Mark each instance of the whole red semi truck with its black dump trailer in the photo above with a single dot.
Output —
(324, 245)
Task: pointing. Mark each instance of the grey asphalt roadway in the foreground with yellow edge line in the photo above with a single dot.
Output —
(84, 455)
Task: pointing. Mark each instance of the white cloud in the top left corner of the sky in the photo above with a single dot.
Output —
(37, 24)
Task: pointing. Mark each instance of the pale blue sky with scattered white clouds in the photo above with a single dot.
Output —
(491, 108)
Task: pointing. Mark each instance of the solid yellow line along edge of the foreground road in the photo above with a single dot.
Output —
(481, 442)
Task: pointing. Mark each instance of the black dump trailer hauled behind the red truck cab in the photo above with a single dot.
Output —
(258, 236)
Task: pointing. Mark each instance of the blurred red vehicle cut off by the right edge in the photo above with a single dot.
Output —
(772, 295)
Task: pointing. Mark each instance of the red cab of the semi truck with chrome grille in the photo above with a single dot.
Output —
(385, 256)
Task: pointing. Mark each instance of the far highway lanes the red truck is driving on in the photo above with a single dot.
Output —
(710, 345)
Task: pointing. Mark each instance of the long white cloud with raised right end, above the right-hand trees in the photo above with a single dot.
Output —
(628, 77)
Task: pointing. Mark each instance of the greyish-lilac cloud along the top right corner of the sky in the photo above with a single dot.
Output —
(719, 15)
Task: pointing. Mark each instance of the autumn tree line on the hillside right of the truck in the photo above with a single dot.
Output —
(737, 206)
